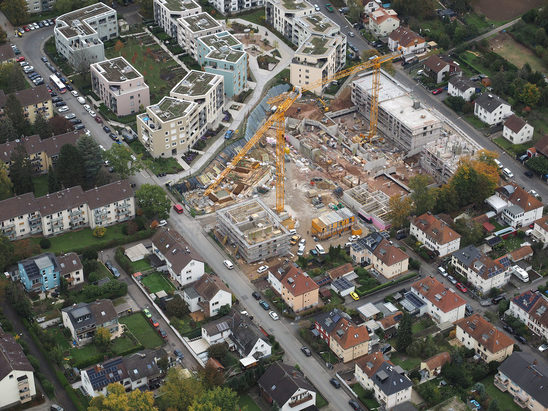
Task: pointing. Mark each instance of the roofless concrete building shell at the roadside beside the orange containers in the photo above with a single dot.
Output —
(255, 230)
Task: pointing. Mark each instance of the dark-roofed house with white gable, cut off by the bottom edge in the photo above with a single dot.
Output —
(286, 388)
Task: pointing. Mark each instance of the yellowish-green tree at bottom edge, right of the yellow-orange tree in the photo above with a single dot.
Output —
(178, 392)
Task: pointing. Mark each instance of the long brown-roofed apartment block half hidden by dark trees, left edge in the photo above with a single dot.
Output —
(42, 154)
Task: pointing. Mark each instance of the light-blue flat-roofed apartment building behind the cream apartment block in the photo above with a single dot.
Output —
(221, 53)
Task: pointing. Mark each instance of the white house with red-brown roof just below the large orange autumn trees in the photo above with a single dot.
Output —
(435, 234)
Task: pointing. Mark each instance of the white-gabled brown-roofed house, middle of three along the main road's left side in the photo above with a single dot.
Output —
(208, 295)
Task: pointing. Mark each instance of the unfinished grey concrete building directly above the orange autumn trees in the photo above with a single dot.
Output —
(440, 158)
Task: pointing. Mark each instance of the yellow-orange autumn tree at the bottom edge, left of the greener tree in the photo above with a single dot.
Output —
(117, 399)
